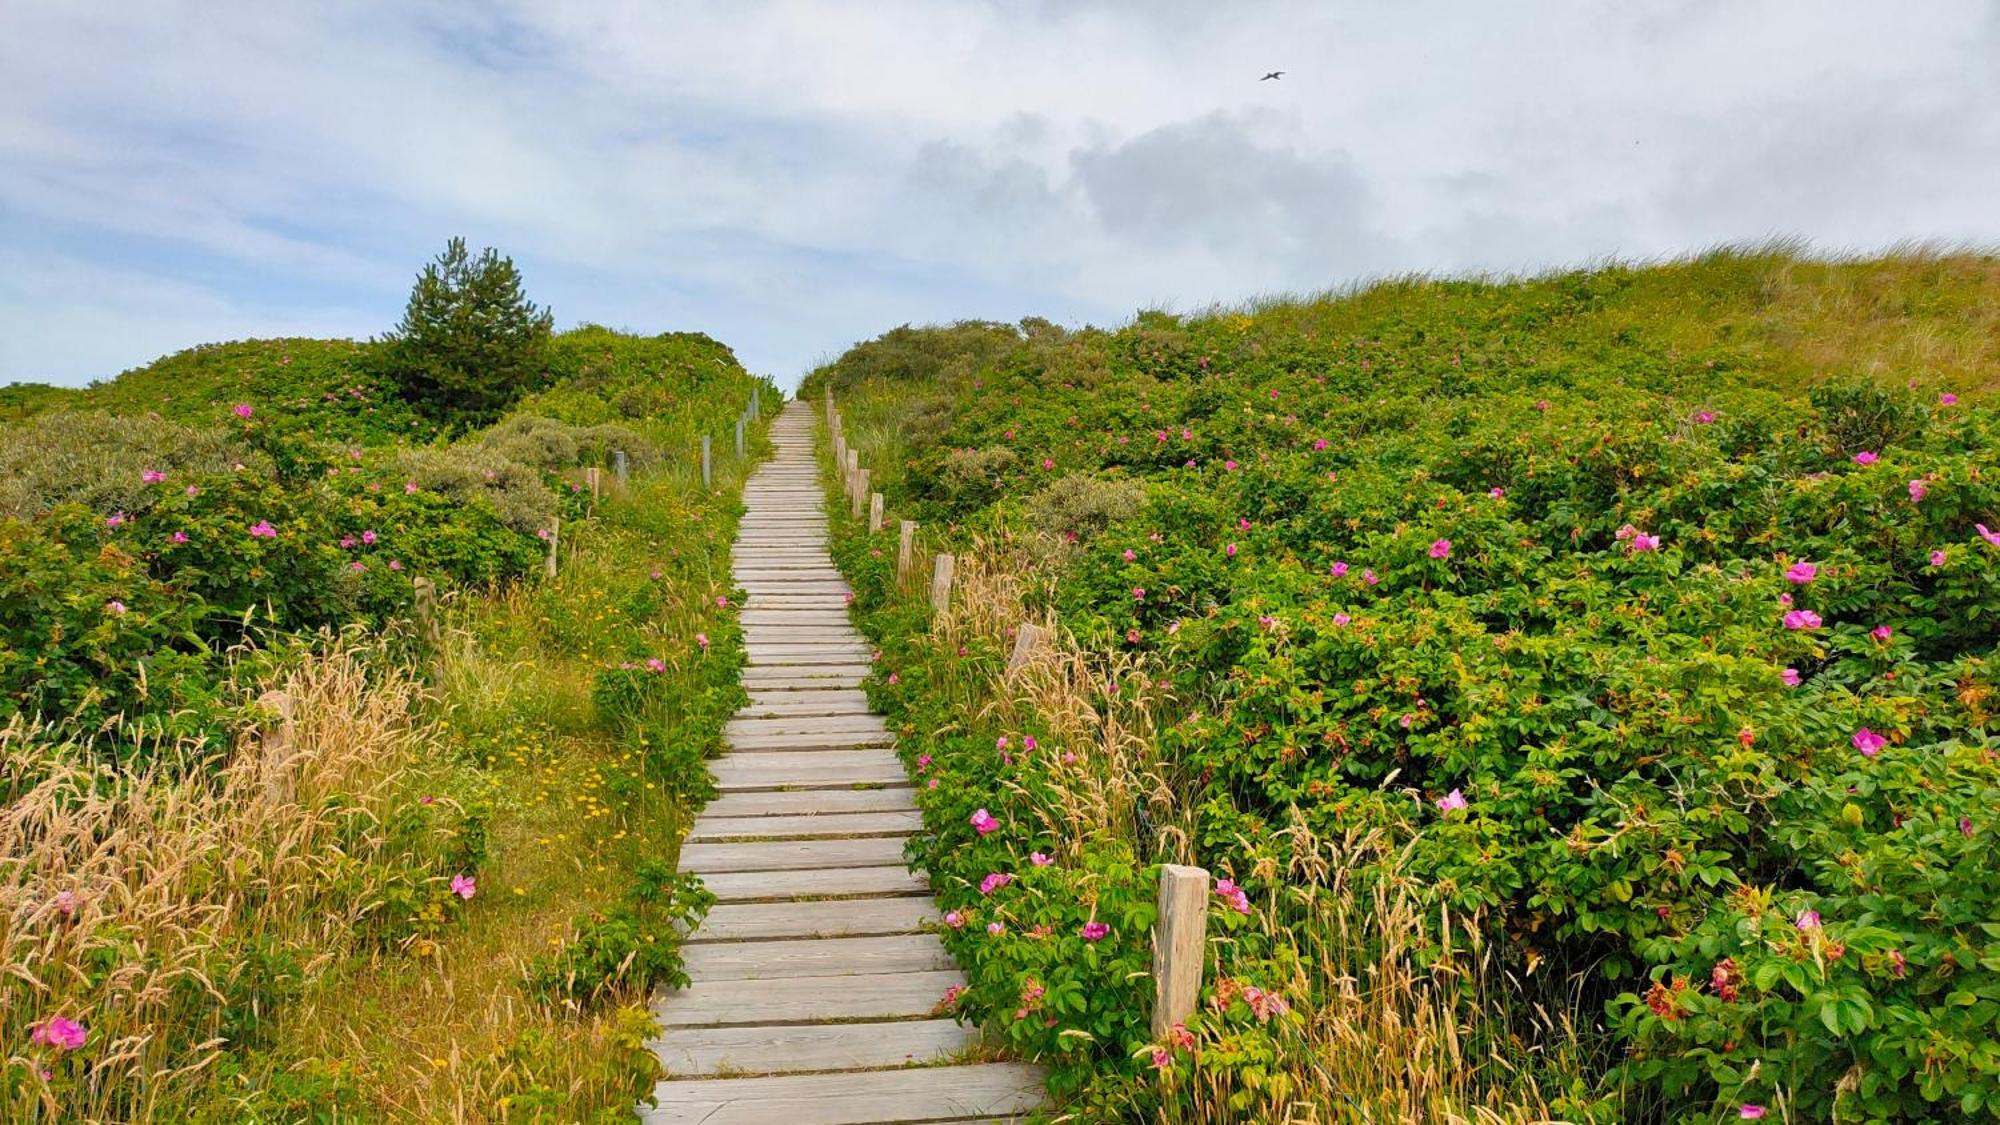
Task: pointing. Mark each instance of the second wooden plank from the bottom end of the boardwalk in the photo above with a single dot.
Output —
(703, 1052)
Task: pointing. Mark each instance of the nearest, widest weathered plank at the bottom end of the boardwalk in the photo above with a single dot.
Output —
(913, 1094)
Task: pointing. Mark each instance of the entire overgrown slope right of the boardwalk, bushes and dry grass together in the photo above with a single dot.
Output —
(1581, 684)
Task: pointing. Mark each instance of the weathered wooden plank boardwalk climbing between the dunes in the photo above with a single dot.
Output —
(813, 978)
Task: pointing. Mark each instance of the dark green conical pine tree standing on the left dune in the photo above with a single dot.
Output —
(471, 341)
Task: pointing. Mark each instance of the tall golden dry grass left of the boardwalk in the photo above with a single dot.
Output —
(169, 914)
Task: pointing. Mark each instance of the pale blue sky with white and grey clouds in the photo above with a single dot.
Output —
(795, 177)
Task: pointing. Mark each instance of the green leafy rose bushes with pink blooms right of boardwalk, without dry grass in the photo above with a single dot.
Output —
(1637, 626)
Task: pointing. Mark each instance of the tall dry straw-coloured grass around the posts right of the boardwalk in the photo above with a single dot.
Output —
(1393, 1026)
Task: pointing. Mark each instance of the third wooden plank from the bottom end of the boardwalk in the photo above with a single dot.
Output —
(807, 1000)
